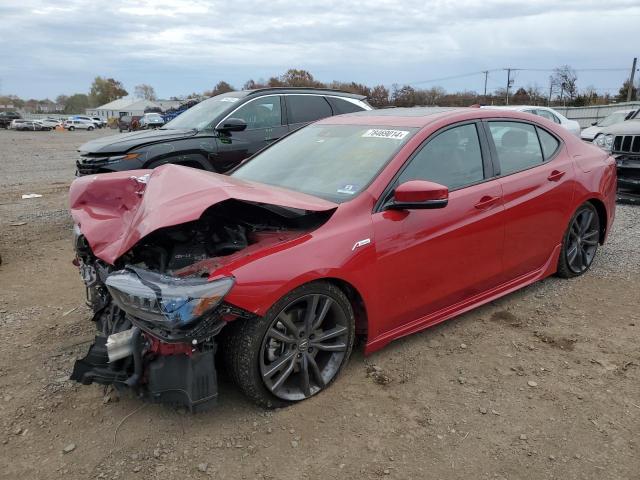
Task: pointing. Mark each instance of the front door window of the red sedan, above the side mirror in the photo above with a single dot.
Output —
(453, 158)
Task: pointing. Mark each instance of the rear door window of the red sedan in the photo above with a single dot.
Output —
(517, 146)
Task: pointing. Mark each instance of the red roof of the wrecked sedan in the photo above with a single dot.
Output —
(421, 116)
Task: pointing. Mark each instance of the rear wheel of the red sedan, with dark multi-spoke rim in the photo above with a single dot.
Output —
(580, 242)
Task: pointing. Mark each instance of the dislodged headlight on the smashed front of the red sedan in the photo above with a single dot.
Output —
(167, 301)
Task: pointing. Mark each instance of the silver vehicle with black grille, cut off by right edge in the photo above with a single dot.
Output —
(622, 140)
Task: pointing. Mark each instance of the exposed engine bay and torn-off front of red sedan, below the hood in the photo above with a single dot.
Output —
(158, 309)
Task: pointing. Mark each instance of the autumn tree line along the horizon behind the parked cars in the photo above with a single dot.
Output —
(562, 90)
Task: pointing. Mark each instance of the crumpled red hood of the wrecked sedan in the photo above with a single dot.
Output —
(116, 210)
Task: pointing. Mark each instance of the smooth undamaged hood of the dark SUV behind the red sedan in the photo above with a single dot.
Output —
(123, 142)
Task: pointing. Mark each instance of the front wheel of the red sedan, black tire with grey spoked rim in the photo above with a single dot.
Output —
(245, 343)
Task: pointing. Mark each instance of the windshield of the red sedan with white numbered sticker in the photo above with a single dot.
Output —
(334, 162)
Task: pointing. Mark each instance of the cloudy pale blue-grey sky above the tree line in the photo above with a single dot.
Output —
(182, 46)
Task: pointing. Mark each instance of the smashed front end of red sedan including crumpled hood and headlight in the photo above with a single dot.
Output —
(156, 254)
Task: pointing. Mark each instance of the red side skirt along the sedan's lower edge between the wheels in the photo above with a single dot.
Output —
(464, 306)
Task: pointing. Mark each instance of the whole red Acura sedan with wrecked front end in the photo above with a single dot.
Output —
(379, 224)
